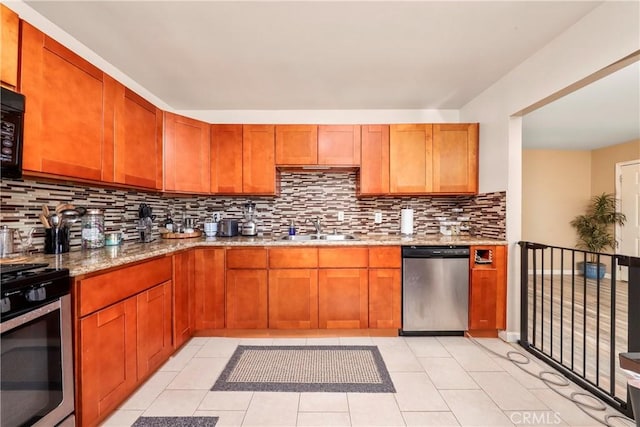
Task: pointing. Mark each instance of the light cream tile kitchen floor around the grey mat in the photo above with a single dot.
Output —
(440, 381)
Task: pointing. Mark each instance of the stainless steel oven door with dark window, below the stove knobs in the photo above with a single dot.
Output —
(37, 368)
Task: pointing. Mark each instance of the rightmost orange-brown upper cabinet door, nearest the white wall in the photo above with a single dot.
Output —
(455, 158)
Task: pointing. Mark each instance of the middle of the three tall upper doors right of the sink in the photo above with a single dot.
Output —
(410, 159)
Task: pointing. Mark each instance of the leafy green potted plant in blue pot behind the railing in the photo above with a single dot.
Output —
(595, 231)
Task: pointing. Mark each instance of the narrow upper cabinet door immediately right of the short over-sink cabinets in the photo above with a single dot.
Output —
(374, 167)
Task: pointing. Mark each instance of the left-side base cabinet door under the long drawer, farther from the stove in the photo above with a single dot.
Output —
(154, 329)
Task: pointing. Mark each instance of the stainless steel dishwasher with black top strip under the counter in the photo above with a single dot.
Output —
(435, 290)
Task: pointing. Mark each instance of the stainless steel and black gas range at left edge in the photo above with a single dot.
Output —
(36, 380)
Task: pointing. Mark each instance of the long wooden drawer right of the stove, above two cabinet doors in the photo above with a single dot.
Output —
(102, 290)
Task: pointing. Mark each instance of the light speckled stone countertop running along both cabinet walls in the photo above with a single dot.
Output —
(80, 262)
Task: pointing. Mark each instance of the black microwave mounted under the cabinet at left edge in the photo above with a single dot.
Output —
(11, 133)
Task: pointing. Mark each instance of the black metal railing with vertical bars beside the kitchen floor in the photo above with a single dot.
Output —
(579, 323)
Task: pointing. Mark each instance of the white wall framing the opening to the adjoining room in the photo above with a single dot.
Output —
(607, 34)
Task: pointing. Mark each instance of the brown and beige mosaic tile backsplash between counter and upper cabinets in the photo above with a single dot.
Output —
(303, 196)
